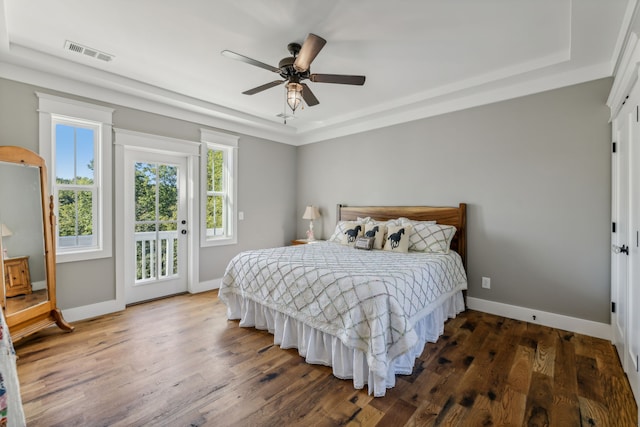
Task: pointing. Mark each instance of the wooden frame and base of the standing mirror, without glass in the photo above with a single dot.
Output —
(32, 319)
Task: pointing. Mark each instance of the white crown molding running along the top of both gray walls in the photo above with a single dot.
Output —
(27, 66)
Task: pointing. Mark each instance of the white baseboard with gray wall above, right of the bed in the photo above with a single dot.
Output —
(558, 321)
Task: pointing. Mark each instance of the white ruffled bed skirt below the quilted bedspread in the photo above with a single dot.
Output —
(321, 348)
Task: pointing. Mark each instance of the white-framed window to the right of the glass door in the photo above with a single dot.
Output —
(218, 182)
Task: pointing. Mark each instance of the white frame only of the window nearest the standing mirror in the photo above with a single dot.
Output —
(53, 110)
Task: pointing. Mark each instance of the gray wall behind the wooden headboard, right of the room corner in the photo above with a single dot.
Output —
(535, 172)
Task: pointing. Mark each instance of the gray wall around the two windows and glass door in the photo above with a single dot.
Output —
(266, 184)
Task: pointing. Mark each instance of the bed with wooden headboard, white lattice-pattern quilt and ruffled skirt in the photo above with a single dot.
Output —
(366, 313)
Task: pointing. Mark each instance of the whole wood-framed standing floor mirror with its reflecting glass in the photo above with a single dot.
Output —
(27, 224)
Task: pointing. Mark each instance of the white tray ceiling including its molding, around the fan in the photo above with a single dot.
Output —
(420, 57)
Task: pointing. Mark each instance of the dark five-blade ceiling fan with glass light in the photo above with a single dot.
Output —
(295, 69)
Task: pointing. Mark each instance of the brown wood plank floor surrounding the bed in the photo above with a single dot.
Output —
(179, 362)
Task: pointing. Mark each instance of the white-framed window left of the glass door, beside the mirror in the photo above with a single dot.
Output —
(75, 140)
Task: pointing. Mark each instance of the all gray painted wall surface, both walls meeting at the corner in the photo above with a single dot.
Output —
(535, 172)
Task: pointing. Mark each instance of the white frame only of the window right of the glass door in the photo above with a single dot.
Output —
(211, 140)
